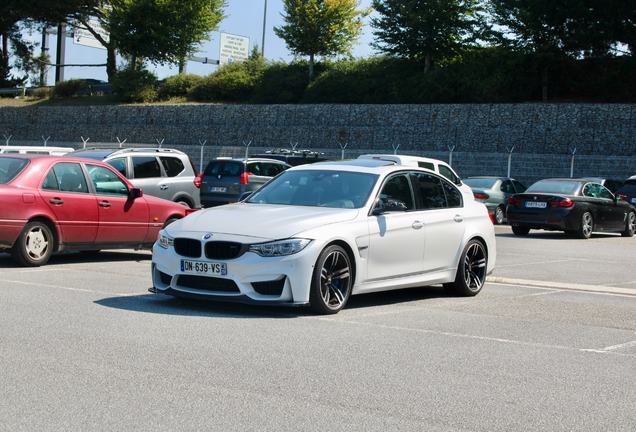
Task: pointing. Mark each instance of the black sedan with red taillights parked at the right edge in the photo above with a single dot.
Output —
(575, 206)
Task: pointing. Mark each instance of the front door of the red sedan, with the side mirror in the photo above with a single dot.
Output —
(122, 219)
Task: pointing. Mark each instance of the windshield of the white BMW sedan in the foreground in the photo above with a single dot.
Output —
(323, 188)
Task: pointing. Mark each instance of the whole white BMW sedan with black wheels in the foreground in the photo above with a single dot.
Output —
(318, 233)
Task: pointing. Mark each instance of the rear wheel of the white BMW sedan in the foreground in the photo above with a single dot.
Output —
(471, 271)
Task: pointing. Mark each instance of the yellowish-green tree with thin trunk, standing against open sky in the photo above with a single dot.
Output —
(321, 27)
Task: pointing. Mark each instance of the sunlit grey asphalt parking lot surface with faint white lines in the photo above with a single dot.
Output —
(549, 344)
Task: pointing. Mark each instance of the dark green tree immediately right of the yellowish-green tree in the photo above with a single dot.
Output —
(427, 30)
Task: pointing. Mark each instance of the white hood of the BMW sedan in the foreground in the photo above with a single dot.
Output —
(262, 221)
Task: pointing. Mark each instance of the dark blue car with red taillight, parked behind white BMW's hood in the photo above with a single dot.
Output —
(224, 180)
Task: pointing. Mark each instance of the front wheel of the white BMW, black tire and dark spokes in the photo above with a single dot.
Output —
(332, 281)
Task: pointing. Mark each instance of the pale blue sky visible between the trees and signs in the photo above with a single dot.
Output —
(244, 18)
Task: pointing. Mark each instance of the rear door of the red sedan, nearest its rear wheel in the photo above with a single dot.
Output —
(65, 191)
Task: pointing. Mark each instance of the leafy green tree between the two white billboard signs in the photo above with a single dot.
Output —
(162, 31)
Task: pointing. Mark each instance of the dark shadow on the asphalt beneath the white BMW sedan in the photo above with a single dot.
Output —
(167, 305)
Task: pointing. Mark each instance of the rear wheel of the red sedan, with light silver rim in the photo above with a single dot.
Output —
(34, 245)
